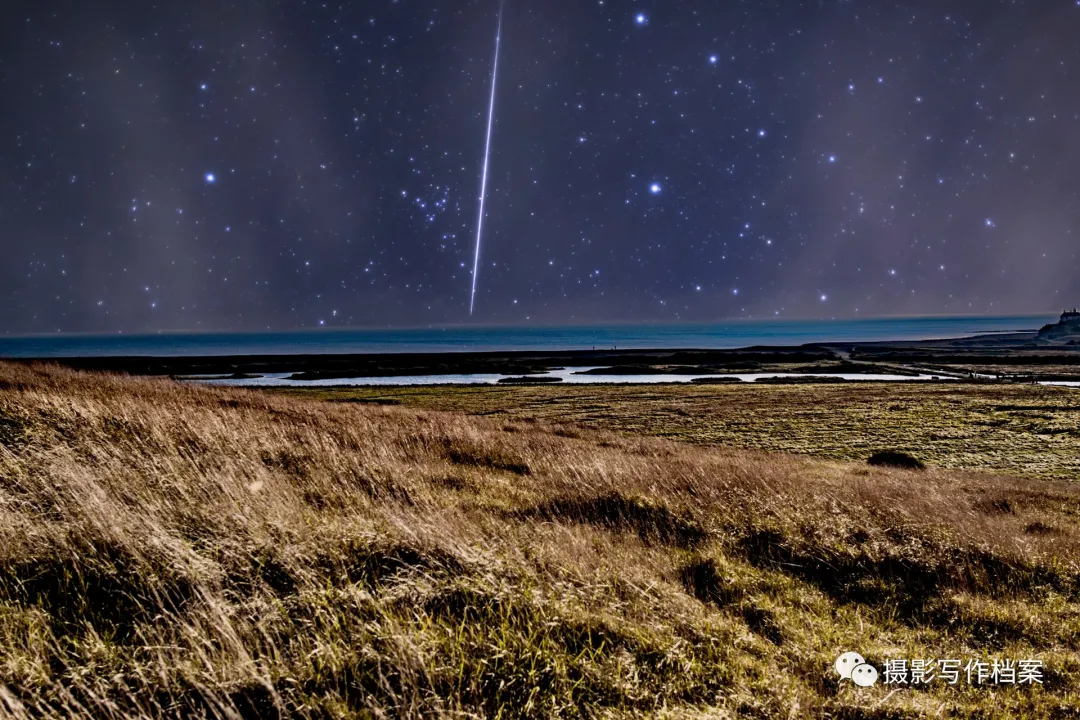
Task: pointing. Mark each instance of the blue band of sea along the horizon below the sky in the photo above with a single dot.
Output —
(733, 334)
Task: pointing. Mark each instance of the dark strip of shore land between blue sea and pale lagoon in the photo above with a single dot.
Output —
(1005, 350)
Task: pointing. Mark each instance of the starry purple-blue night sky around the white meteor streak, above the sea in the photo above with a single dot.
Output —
(275, 166)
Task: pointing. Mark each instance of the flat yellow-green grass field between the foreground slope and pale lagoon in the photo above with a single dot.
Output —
(1031, 430)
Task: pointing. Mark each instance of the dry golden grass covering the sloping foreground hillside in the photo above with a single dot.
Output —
(188, 552)
